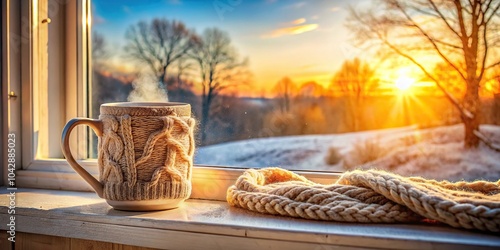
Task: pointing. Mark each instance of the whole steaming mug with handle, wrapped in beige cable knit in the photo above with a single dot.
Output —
(145, 154)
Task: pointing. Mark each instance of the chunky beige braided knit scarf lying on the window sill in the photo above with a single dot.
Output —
(369, 196)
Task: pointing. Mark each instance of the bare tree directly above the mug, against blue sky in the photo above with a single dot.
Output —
(159, 44)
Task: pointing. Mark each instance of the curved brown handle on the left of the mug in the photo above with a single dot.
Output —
(96, 125)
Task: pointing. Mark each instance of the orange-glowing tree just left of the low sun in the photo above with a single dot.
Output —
(355, 80)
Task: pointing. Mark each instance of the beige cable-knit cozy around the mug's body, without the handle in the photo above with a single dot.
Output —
(145, 153)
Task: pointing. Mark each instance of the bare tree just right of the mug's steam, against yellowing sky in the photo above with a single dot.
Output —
(219, 68)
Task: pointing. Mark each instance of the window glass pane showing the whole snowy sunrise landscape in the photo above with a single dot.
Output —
(321, 86)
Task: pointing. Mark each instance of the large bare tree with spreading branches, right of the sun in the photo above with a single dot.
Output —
(459, 33)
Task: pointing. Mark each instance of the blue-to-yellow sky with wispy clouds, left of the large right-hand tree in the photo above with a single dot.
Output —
(304, 40)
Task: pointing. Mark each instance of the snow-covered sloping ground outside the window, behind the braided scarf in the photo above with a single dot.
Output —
(432, 153)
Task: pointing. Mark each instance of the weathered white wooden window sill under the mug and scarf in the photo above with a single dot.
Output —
(203, 224)
